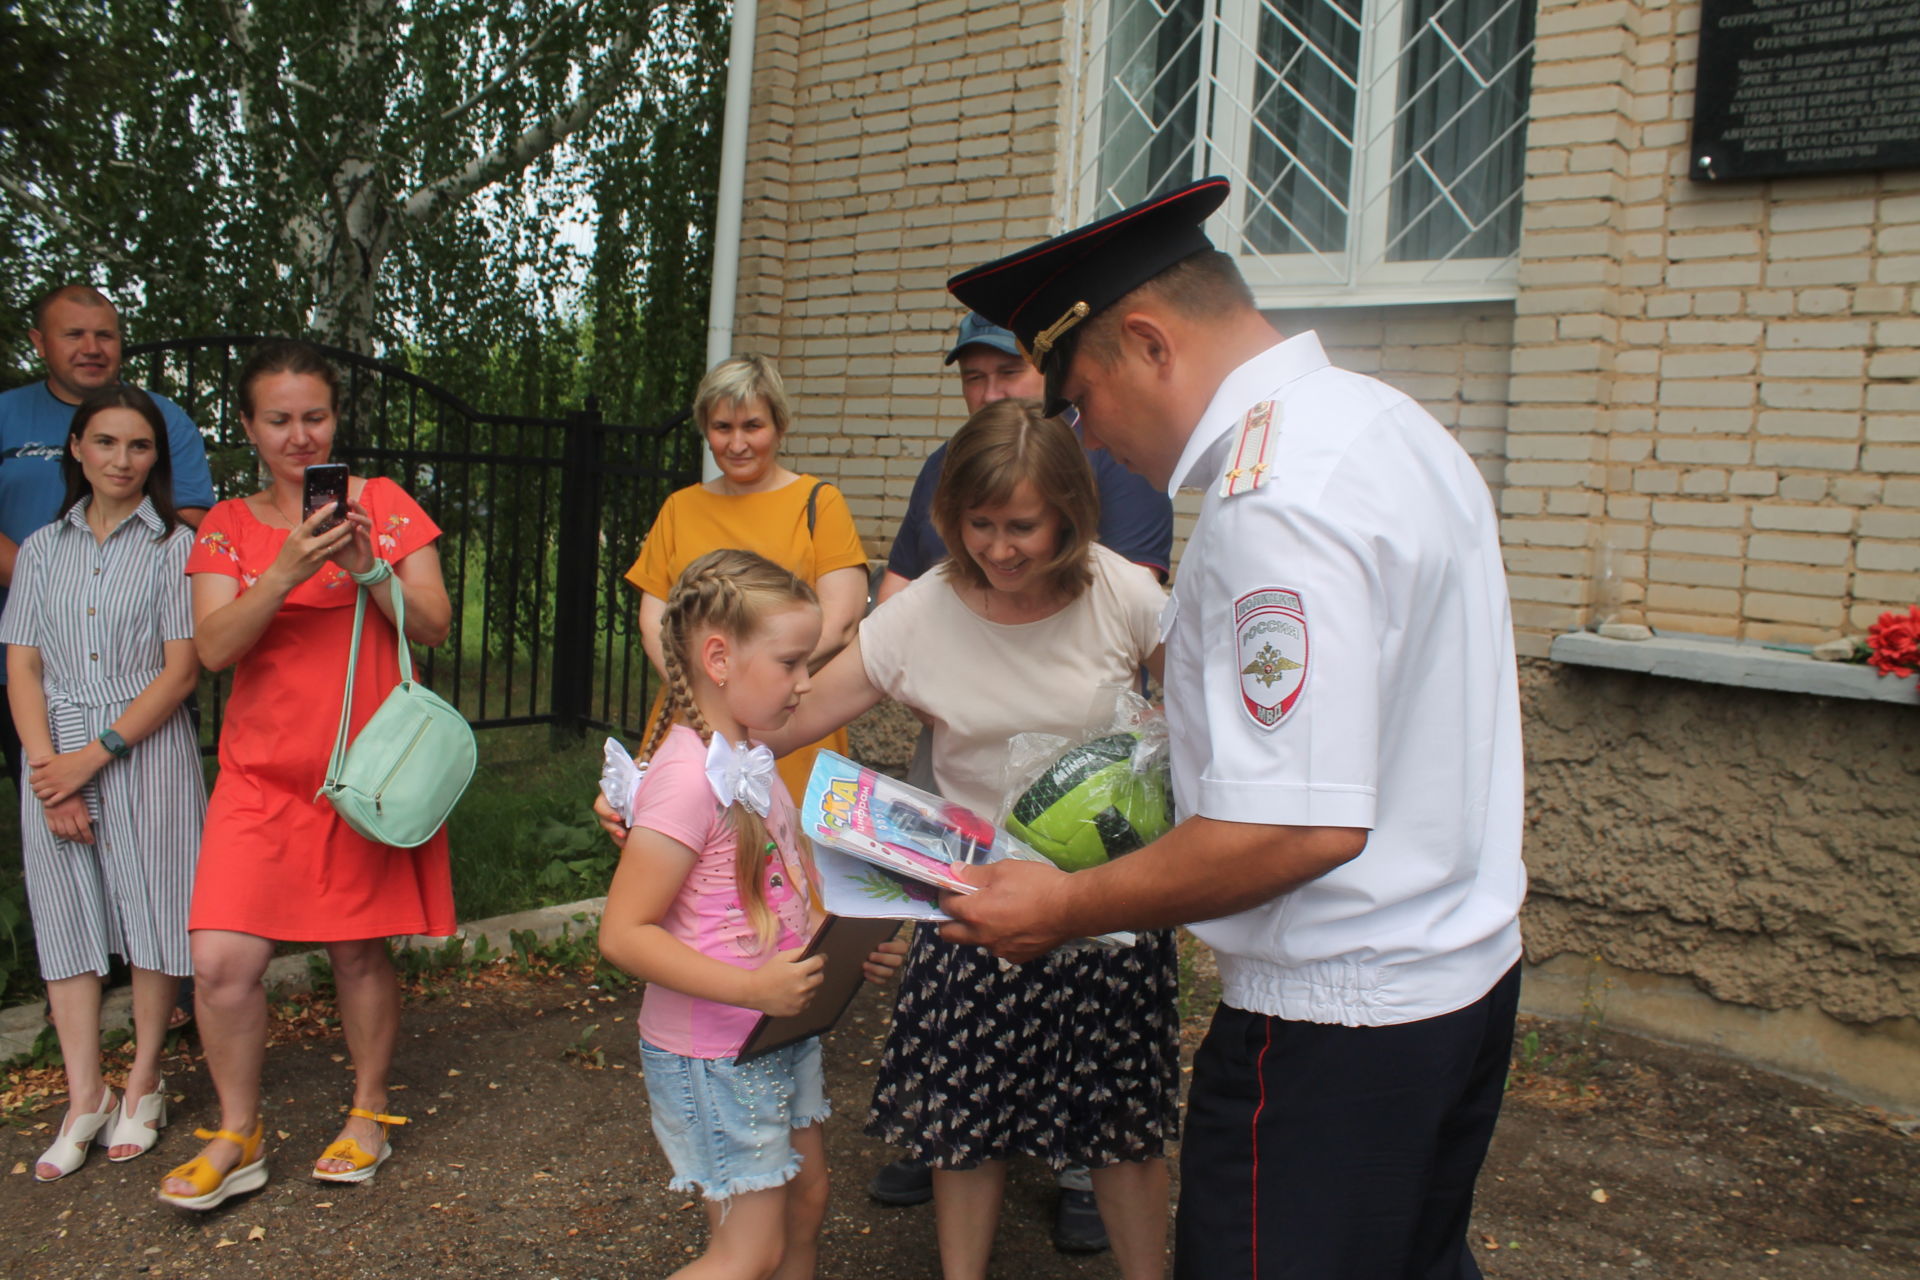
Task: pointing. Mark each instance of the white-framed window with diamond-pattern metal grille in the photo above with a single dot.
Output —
(1376, 147)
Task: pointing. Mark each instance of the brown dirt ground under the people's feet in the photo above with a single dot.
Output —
(531, 1156)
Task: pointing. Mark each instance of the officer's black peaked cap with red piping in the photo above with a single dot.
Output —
(1044, 293)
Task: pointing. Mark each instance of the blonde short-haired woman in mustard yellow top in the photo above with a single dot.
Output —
(763, 508)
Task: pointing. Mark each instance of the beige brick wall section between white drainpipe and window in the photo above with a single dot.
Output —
(894, 145)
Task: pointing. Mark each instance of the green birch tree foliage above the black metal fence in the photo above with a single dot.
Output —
(414, 179)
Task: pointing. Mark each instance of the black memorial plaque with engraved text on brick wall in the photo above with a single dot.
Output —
(1792, 87)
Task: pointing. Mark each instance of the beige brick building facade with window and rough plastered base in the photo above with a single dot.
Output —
(1696, 404)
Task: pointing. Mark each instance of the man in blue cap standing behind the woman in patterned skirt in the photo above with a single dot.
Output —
(1138, 523)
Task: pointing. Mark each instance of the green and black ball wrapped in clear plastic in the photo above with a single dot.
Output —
(1092, 805)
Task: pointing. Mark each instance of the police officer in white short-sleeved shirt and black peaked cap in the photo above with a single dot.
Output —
(1347, 759)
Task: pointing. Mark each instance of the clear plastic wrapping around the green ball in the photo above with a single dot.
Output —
(1092, 799)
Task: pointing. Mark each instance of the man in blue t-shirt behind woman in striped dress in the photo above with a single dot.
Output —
(76, 331)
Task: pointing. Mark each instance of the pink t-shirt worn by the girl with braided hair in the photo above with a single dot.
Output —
(708, 916)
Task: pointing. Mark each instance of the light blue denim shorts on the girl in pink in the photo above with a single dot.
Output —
(725, 1126)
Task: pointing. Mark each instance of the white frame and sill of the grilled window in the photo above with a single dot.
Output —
(1360, 272)
